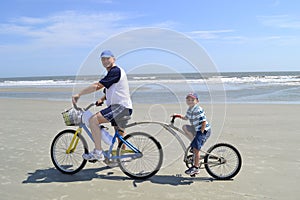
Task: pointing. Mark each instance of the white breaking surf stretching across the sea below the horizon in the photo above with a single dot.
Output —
(291, 80)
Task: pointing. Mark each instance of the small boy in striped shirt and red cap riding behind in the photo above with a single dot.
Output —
(199, 130)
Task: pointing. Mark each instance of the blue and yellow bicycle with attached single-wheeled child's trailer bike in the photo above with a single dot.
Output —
(144, 155)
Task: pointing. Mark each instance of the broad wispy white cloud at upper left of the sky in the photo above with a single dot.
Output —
(67, 28)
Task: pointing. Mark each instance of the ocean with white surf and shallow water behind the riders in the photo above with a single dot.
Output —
(229, 87)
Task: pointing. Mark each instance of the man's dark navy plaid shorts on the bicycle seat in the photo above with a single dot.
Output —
(115, 112)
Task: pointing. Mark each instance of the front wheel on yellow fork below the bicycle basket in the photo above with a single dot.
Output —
(68, 163)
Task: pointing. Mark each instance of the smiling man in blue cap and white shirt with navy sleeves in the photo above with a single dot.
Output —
(117, 98)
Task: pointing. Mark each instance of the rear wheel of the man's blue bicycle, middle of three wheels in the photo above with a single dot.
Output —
(150, 161)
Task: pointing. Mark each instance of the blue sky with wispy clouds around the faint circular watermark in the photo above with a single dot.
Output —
(54, 37)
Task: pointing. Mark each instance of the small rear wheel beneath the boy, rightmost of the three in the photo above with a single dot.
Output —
(228, 163)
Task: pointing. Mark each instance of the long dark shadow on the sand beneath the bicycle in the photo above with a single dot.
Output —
(52, 175)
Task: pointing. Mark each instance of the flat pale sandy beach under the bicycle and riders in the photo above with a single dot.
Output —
(267, 136)
